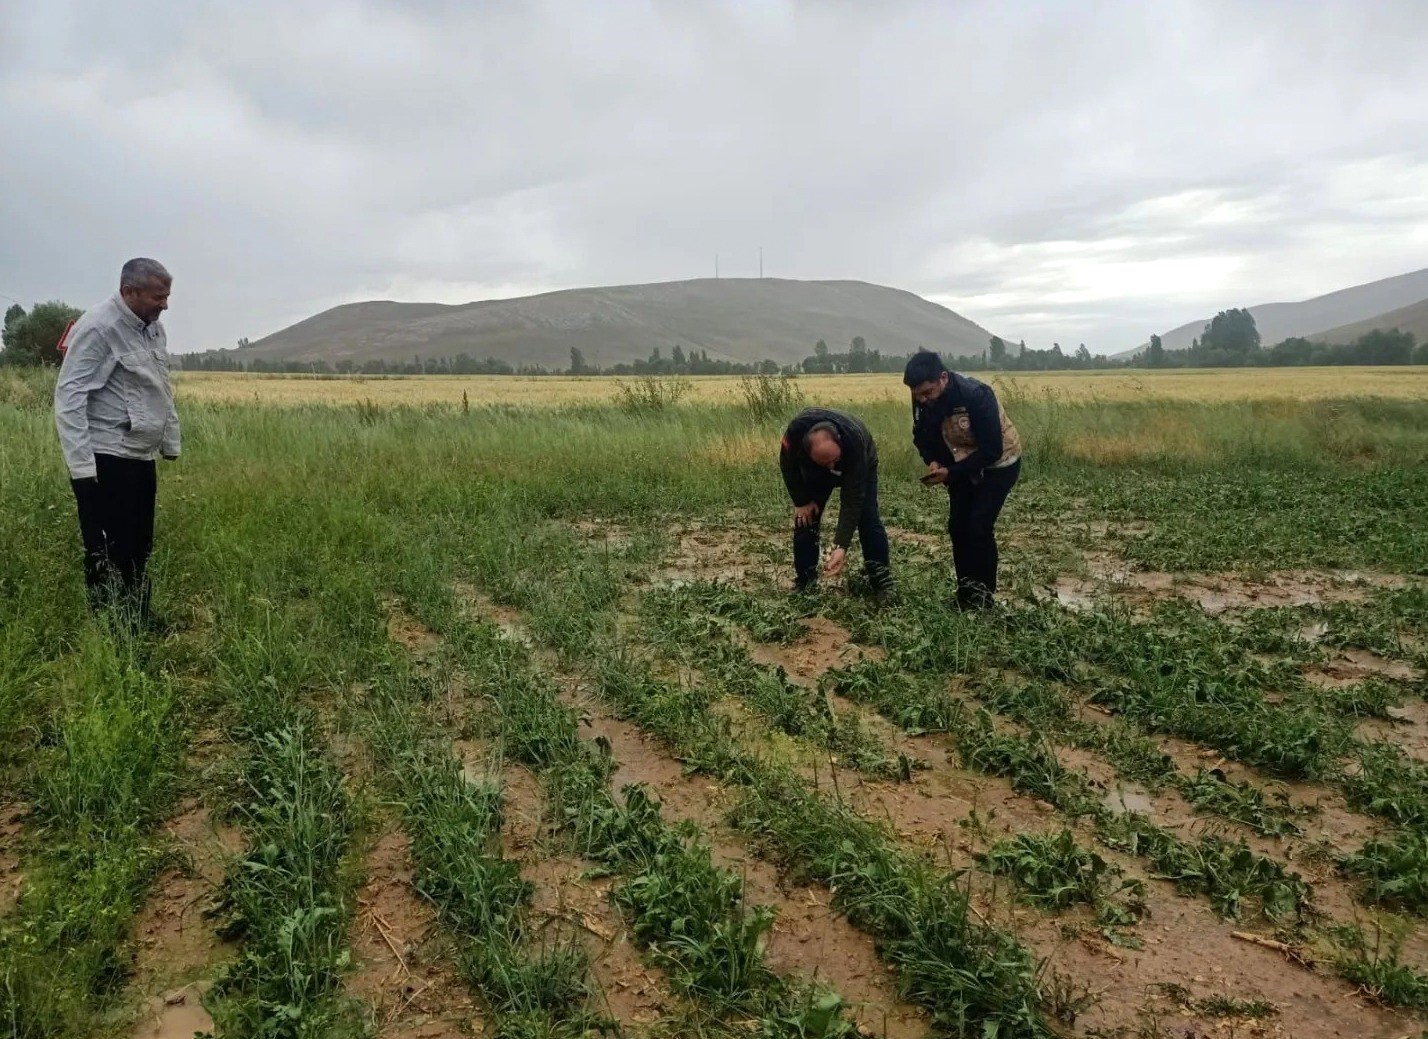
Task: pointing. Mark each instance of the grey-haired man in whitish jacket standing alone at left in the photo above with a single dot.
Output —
(115, 412)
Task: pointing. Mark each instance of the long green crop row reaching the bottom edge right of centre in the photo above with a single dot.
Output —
(967, 975)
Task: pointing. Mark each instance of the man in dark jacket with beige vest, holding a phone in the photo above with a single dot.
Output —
(973, 449)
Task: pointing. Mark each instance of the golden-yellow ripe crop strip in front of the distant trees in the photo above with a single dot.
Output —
(1193, 385)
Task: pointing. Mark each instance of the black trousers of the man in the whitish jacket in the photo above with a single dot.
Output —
(118, 529)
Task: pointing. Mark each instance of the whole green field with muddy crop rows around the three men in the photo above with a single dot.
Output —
(498, 720)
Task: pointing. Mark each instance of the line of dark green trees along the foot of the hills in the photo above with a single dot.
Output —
(1227, 342)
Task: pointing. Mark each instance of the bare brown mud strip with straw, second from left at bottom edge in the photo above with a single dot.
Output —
(401, 968)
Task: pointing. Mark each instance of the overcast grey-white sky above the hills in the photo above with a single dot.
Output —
(1056, 171)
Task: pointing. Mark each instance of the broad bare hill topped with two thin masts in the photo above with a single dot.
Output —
(733, 319)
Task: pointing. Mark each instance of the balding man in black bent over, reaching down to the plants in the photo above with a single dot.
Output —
(823, 450)
